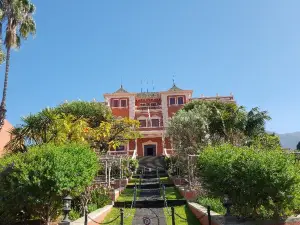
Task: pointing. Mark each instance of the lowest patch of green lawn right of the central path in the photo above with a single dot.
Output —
(184, 212)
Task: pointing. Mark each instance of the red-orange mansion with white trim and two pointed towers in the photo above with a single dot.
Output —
(152, 110)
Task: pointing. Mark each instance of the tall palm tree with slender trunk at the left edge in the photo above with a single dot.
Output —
(17, 16)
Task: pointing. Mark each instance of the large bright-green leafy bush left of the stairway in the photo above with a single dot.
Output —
(38, 179)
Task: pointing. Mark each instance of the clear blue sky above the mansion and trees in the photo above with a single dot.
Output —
(83, 48)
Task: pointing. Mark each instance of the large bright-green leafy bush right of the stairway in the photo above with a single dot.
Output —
(259, 182)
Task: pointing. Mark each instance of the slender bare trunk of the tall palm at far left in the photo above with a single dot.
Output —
(3, 102)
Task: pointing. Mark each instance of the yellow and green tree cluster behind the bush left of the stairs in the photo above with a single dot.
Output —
(79, 121)
